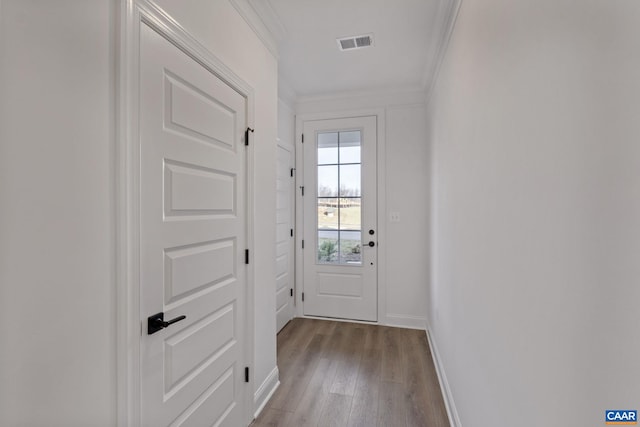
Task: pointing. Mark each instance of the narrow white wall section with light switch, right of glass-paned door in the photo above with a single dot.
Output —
(408, 251)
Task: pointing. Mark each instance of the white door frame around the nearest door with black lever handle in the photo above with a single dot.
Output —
(132, 14)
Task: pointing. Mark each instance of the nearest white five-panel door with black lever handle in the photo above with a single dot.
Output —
(193, 233)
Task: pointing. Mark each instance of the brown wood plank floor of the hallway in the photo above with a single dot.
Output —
(348, 374)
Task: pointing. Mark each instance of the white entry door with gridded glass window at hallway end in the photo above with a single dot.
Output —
(340, 241)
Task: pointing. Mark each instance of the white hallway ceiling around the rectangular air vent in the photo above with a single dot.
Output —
(408, 35)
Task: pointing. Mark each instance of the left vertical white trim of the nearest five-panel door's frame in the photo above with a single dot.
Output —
(127, 259)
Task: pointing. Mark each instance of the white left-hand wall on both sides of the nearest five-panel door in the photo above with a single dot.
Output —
(57, 141)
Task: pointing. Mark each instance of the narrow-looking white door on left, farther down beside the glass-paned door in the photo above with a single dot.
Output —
(284, 236)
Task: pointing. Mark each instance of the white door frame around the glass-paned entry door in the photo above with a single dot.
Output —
(382, 200)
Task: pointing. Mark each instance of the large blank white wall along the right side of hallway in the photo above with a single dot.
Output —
(536, 204)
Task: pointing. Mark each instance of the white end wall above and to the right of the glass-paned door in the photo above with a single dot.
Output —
(404, 250)
